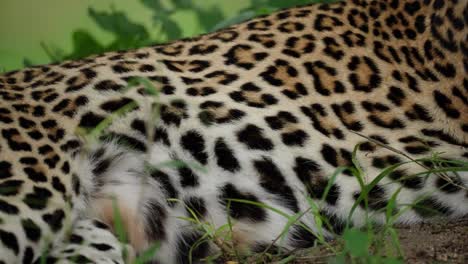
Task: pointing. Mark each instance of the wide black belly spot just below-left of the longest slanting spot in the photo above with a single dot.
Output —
(238, 209)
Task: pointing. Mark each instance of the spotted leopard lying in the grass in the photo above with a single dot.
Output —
(245, 126)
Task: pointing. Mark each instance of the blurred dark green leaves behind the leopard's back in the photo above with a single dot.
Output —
(128, 34)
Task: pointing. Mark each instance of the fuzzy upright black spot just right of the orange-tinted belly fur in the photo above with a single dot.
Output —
(155, 217)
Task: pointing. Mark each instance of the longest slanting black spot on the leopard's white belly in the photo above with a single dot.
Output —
(273, 181)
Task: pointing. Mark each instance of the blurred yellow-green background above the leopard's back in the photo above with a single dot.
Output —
(40, 32)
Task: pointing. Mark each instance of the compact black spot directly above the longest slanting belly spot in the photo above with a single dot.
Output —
(253, 137)
